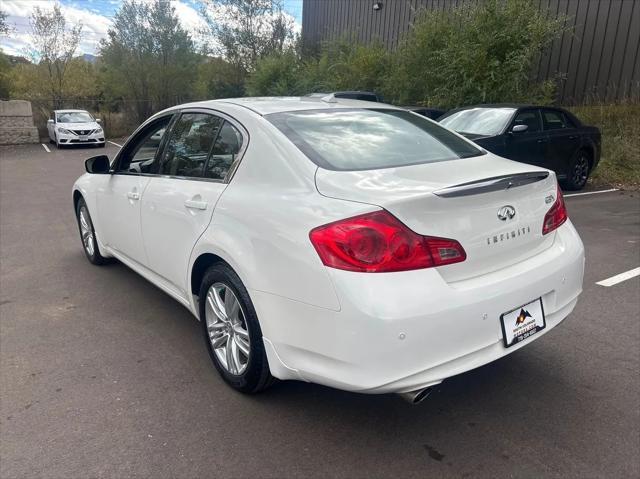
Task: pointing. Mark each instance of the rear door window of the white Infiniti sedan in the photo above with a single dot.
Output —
(188, 147)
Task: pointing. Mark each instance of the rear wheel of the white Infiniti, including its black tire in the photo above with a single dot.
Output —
(232, 332)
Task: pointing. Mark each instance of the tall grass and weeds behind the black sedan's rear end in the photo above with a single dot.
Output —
(620, 127)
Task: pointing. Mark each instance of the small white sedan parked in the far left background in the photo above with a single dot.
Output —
(74, 127)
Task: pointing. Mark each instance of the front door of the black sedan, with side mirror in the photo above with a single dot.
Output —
(527, 146)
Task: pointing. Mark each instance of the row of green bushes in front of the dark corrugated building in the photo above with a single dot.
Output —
(479, 52)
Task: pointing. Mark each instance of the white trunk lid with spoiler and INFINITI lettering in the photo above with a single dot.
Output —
(492, 206)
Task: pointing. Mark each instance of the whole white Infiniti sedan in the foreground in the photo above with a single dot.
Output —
(341, 242)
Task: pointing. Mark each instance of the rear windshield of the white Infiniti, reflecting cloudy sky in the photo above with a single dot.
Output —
(367, 139)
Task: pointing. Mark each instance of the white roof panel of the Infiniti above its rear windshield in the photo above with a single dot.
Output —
(267, 105)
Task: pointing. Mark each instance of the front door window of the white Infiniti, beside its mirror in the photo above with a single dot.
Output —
(139, 155)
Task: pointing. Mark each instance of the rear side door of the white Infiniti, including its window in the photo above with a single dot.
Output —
(190, 176)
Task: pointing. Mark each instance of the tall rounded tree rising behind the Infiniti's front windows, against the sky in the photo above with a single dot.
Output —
(148, 58)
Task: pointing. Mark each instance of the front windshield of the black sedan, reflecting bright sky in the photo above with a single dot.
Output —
(479, 121)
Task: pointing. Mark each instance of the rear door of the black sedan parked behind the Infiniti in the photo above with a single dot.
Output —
(564, 140)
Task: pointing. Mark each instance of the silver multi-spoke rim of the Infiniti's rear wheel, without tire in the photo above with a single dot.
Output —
(227, 328)
